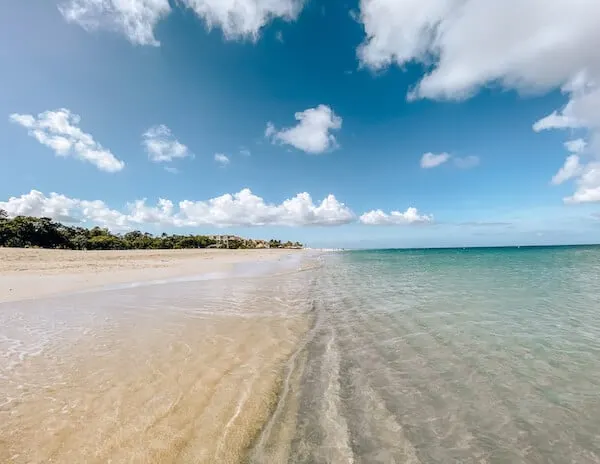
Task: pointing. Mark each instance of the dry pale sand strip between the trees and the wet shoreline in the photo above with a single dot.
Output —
(33, 273)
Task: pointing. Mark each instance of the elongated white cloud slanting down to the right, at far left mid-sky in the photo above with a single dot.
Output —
(59, 131)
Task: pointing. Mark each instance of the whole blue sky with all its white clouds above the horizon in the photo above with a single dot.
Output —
(355, 124)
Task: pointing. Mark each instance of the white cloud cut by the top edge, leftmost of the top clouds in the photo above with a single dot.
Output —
(135, 19)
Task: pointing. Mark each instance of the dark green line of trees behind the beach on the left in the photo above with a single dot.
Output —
(27, 231)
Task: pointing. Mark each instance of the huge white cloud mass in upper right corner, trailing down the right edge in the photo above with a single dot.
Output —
(465, 46)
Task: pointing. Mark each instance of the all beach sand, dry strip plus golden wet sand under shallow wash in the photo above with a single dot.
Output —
(178, 372)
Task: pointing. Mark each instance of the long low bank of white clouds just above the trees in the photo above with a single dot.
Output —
(242, 209)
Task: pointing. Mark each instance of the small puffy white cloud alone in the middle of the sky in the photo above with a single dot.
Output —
(312, 134)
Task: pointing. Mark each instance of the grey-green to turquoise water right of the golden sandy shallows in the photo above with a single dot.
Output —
(453, 355)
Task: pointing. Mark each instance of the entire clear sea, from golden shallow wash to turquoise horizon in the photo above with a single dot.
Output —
(384, 356)
